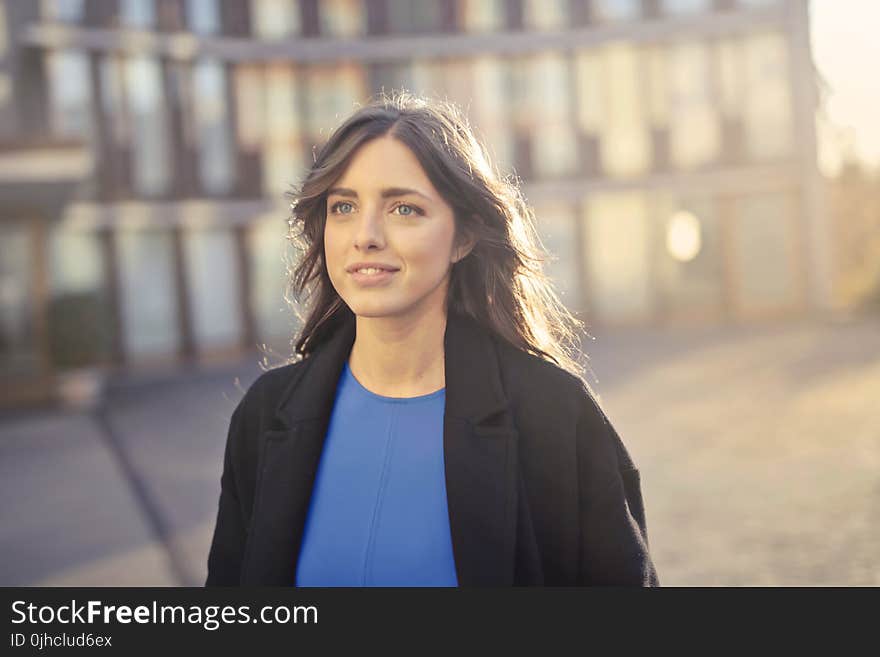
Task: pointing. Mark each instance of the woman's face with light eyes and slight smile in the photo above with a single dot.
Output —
(384, 210)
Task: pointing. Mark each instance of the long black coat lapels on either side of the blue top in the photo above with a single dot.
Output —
(479, 441)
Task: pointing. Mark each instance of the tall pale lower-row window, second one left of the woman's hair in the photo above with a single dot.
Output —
(213, 286)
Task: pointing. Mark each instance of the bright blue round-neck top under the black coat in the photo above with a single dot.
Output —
(378, 514)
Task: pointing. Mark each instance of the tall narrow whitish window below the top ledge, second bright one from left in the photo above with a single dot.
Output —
(150, 148)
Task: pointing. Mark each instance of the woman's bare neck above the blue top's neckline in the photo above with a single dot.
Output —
(400, 356)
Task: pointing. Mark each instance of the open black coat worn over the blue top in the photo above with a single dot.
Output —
(540, 488)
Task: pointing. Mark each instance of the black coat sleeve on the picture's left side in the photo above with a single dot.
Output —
(230, 534)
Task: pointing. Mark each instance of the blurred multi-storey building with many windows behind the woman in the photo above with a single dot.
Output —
(667, 145)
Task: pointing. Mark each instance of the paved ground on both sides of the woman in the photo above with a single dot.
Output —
(759, 450)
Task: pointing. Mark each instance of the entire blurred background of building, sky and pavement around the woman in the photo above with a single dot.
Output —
(706, 174)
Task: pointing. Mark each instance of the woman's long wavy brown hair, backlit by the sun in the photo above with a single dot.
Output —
(500, 283)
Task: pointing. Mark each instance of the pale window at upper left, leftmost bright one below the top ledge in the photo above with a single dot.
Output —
(69, 93)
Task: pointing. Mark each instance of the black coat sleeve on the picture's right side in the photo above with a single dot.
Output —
(613, 532)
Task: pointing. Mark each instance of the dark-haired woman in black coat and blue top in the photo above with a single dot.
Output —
(436, 430)
